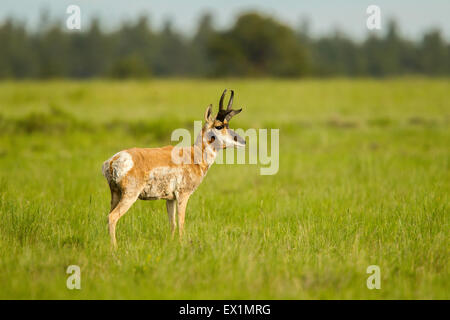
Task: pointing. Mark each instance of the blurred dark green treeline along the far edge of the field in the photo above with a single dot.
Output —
(254, 46)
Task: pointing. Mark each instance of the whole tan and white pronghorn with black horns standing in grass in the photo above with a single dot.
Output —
(151, 173)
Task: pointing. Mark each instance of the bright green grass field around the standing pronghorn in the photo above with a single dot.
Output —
(363, 180)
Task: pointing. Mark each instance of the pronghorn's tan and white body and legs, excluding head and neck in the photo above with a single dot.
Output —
(153, 176)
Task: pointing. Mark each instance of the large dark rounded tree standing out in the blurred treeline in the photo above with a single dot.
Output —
(258, 46)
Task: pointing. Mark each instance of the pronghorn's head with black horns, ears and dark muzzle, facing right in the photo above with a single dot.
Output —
(216, 130)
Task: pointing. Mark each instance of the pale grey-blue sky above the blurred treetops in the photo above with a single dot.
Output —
(413, 16)
